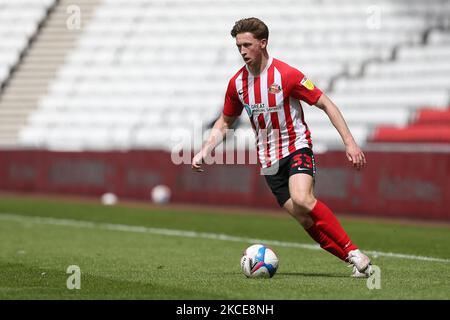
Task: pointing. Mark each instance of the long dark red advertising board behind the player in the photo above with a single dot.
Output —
(401, 184)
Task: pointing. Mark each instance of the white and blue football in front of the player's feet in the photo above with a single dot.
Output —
(259, 261)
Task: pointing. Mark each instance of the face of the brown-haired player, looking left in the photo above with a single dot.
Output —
(250, 48)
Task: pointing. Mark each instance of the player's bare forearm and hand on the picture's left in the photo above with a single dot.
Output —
(216, 136)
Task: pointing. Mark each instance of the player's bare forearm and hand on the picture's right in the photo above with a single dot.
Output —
(353, 151)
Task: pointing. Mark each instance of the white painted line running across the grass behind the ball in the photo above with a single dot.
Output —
(190, 234)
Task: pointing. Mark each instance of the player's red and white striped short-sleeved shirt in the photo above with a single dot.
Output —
(272, 101)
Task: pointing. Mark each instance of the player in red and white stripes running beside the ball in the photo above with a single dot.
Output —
(271, 92)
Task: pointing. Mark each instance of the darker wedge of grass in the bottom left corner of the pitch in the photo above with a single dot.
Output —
(33, 282)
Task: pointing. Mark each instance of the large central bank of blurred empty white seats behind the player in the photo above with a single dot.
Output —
(142, 70)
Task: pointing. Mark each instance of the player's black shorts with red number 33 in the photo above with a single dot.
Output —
(301, 161)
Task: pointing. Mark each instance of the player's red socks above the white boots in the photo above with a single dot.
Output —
(328, 232)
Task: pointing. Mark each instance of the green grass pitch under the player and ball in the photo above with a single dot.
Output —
(141, 263)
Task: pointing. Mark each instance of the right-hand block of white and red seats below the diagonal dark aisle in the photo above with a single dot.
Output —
(419, 76)
